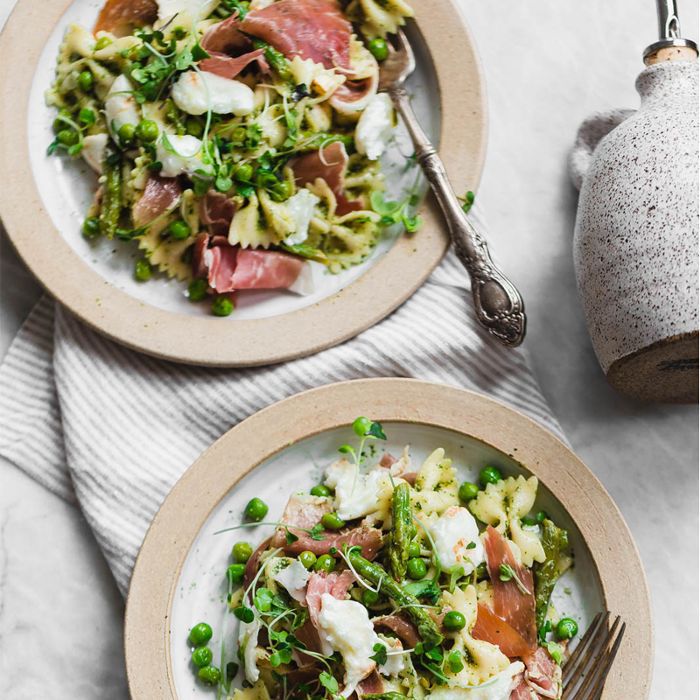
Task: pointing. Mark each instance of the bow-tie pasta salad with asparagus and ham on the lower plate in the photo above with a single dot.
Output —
(383, 582)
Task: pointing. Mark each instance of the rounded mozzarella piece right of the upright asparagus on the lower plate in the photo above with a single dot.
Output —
(457, 542)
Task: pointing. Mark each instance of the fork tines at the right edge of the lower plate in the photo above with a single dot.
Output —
(585, 672)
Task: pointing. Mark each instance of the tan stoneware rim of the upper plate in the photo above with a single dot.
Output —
(207, 340)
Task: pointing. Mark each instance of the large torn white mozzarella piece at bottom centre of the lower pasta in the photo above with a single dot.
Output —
(346, 627)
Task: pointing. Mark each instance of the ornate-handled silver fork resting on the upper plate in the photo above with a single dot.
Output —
(499, 306)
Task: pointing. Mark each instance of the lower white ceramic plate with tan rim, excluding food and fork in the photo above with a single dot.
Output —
(178, 578)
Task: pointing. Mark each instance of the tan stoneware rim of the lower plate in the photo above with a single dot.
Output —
(251, 442)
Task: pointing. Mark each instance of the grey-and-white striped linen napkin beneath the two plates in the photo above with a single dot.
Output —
(114, 429)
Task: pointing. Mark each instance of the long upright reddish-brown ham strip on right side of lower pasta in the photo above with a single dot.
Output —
(512, 601)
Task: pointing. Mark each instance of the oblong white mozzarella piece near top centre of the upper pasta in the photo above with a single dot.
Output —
(195, 92)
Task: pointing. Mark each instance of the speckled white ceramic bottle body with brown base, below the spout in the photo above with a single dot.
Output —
(636, 240)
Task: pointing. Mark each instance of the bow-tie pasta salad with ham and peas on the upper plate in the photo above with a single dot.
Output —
(236, 142)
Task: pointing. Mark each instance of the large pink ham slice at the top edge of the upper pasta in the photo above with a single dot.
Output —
(314, 29)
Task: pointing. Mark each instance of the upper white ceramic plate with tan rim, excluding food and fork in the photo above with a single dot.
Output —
(43, 202)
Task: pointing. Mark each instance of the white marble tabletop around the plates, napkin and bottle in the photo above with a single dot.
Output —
(547, 65)
